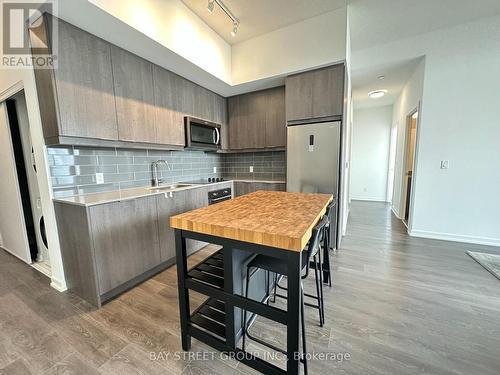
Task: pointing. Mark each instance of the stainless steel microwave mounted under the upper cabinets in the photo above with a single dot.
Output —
(201, 134)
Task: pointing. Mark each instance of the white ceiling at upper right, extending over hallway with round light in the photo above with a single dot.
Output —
(381, 22)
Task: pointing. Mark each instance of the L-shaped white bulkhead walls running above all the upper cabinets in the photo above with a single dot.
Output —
(169, 34)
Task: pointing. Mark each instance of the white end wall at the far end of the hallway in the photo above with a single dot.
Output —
(370, 153)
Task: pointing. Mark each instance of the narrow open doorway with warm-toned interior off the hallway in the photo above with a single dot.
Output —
(409, 164)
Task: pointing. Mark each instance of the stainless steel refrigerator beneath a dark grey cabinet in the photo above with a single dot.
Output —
(313, 157)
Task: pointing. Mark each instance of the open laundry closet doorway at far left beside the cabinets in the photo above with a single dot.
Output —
(27, 182)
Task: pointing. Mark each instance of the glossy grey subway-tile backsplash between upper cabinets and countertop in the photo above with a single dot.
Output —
(73, 168)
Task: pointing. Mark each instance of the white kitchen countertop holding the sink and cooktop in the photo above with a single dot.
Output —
(133, 193)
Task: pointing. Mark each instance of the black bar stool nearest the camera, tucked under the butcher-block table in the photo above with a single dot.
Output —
(278, 267)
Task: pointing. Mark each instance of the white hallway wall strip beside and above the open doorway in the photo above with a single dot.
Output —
(408, 100)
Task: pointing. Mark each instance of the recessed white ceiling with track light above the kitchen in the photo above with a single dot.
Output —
(259, 17)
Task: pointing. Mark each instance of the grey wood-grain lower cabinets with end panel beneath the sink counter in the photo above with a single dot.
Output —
(108, 248)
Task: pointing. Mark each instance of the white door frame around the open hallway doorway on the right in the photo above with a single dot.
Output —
(409, 224)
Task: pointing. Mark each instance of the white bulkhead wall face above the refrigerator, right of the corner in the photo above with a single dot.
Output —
(315, 42)
